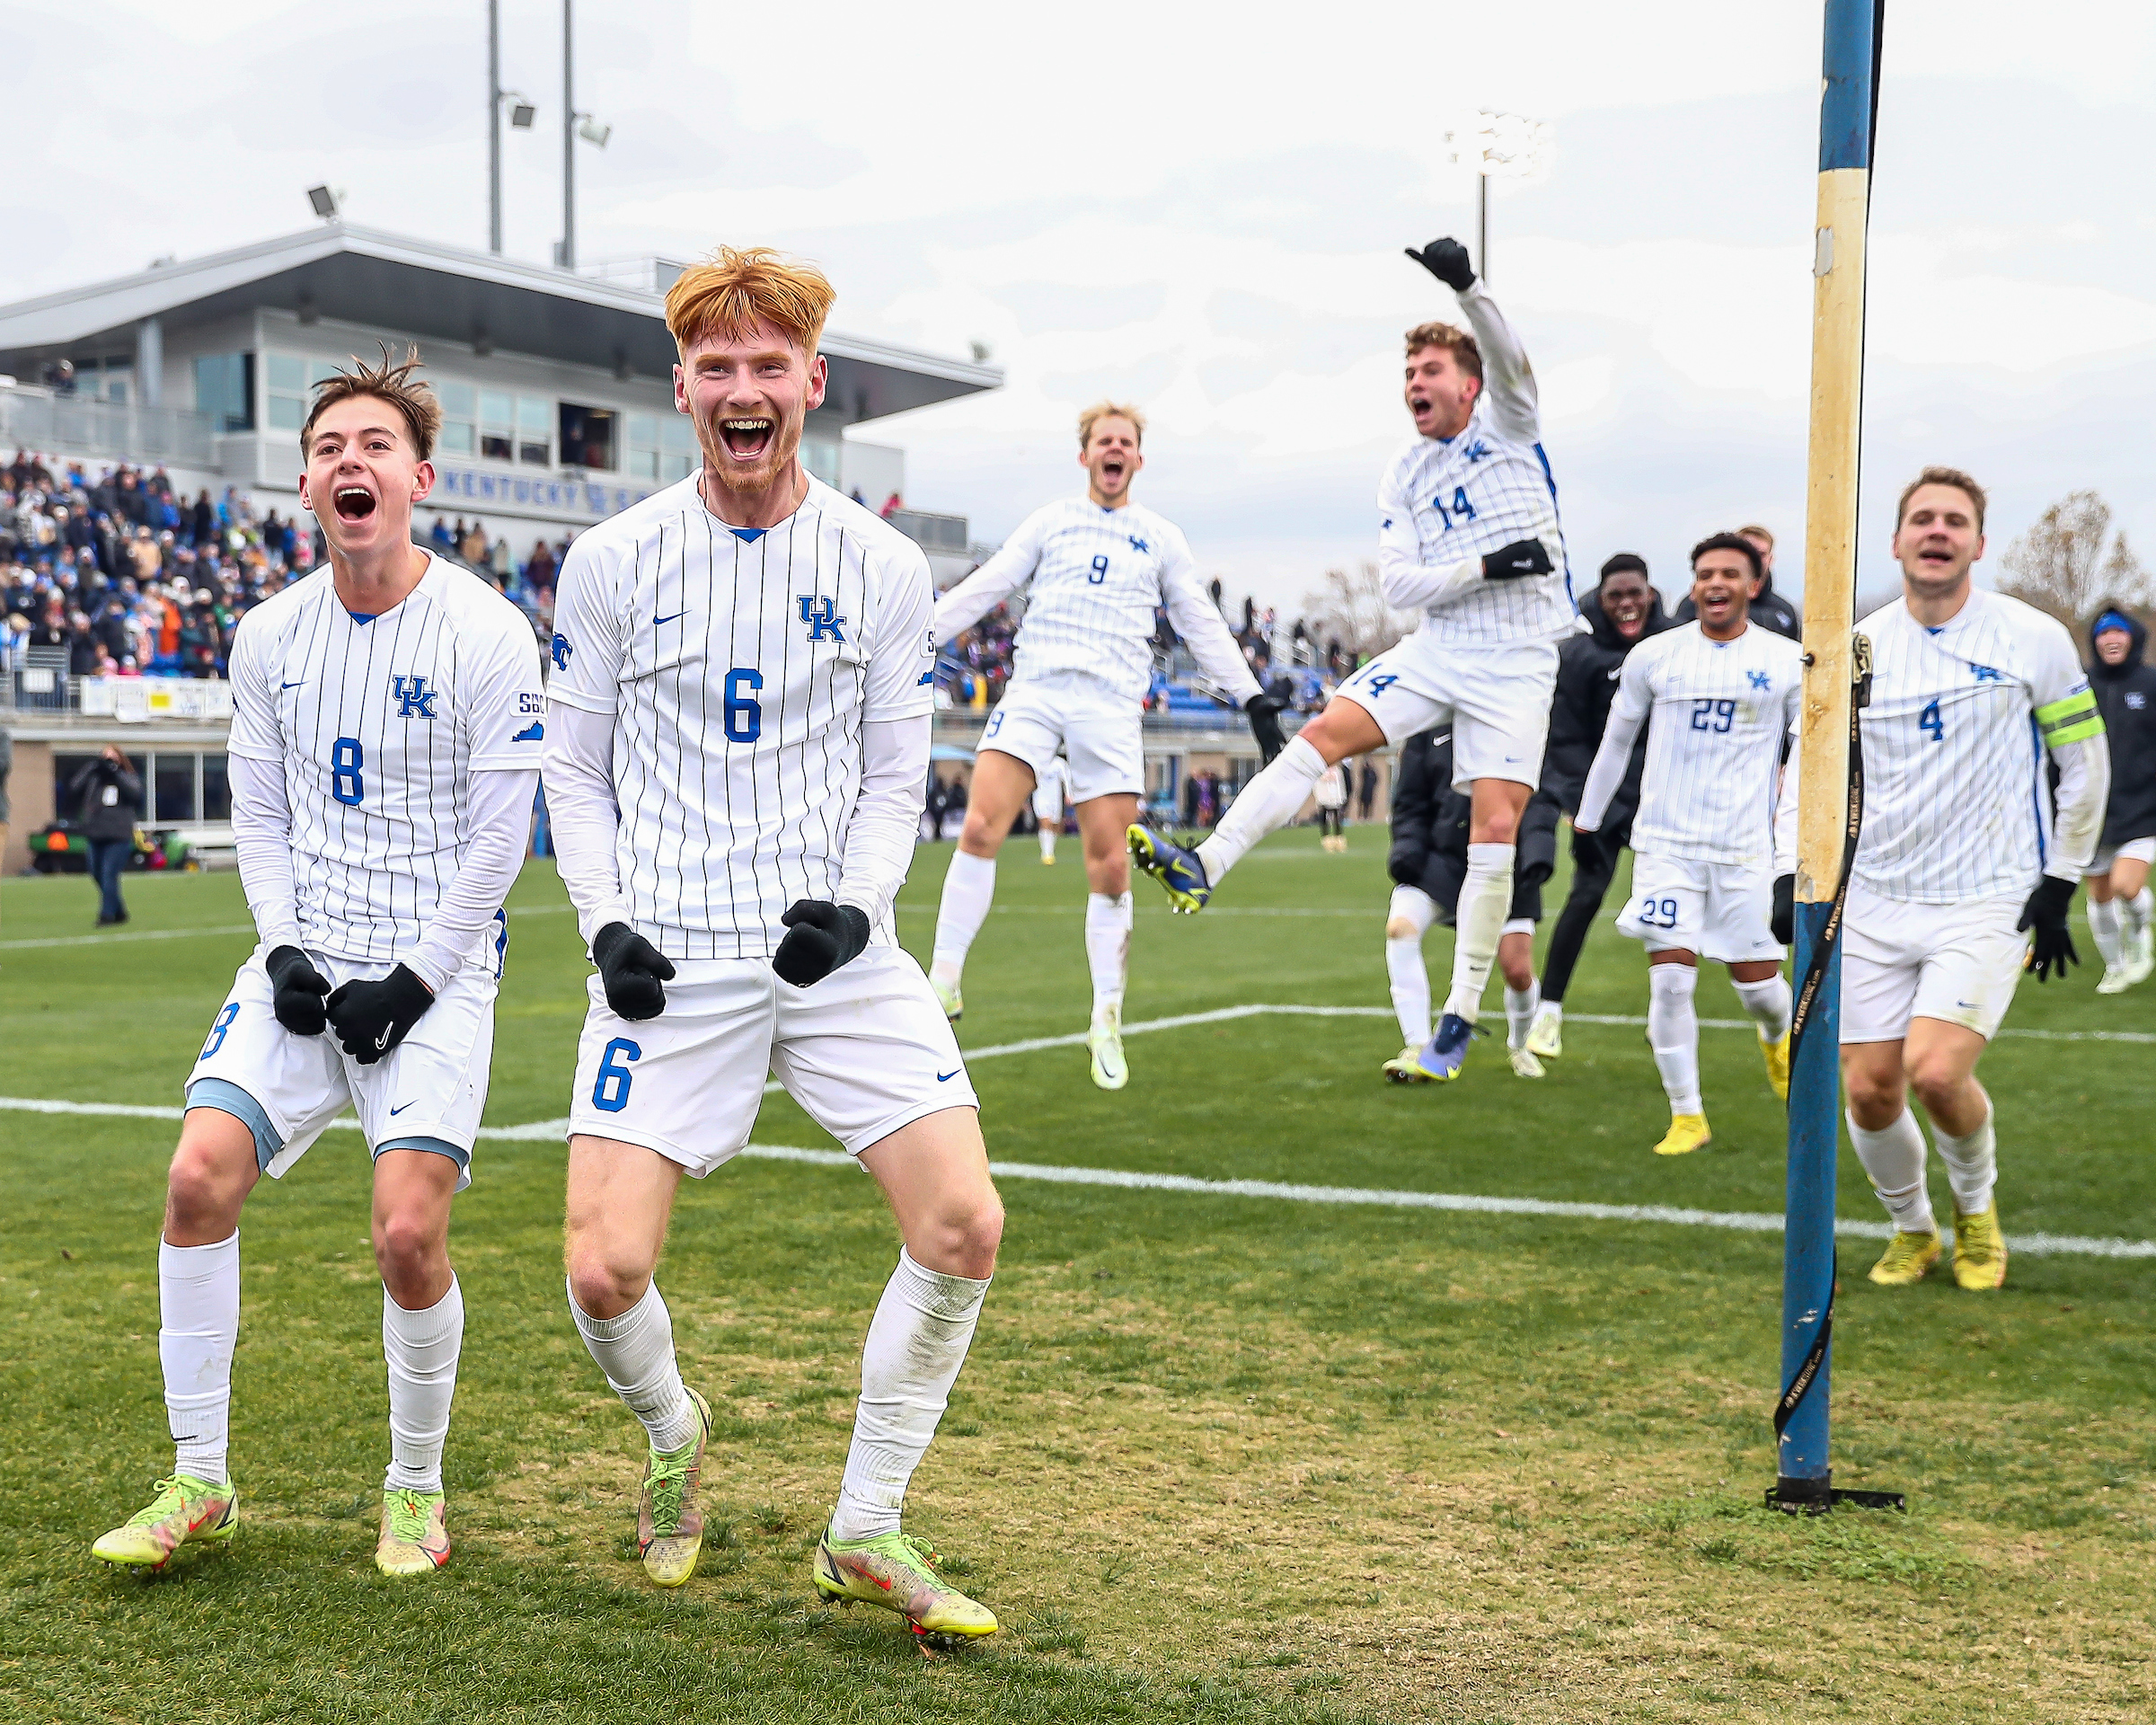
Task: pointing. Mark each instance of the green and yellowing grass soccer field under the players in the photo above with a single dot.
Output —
(1213, 1457)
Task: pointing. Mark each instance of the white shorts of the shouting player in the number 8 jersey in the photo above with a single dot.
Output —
(426, 1094)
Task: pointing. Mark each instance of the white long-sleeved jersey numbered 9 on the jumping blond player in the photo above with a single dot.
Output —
(1092, 581)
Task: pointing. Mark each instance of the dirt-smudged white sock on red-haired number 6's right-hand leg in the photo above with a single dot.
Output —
(915, 1349)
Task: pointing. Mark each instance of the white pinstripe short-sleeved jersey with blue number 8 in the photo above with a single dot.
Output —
(378, 726)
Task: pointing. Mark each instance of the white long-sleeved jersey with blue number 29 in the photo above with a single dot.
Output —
(1717, 713)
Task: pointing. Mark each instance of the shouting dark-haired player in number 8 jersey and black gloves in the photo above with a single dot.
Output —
(385, 754)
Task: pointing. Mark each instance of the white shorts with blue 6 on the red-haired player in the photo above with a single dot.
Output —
(866, 1051)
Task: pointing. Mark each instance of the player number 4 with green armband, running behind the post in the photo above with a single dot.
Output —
(1963, 872)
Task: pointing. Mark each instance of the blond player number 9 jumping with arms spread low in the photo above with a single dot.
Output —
(1094, 572)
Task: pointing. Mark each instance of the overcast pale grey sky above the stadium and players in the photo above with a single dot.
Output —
(1206, 212)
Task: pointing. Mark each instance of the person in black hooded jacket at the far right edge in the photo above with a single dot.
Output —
(2120, 898)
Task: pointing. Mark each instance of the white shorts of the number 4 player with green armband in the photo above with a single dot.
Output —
(1901, 961)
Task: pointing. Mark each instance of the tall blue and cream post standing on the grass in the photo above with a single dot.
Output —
(1849, 115)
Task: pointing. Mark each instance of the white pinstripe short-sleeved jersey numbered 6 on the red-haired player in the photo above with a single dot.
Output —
(741, 670)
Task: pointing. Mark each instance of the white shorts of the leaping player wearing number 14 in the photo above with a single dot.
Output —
(1495, 700)
